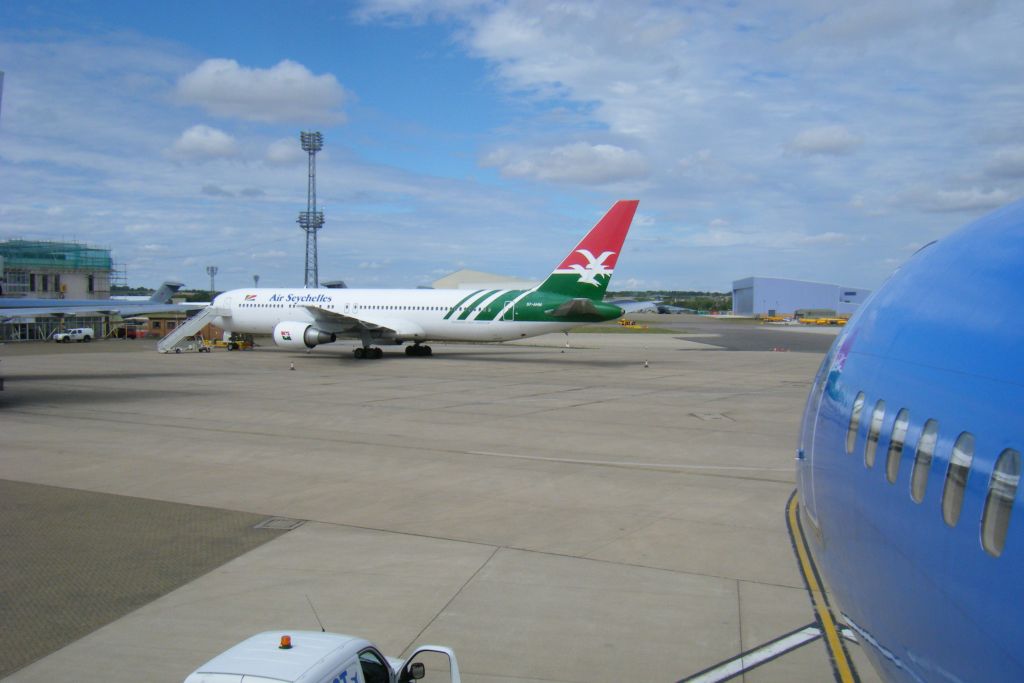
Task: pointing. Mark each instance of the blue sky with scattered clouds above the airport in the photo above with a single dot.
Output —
(817, 141)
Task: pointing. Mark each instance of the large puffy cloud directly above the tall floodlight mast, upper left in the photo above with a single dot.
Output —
(286, 93)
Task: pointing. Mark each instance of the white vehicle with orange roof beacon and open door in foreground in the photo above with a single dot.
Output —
(312, 657)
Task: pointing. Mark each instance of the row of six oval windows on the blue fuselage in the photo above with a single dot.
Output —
(1002, 487)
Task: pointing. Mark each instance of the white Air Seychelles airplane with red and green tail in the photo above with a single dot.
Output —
(306, 318)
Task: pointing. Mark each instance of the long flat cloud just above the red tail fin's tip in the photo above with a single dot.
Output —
(580, 163)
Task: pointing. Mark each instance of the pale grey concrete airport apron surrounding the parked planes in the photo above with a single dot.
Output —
(552, 514)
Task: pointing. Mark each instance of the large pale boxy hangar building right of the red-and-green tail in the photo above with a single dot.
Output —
(778, 296)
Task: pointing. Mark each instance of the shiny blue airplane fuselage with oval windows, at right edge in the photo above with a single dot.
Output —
(910, 457)
